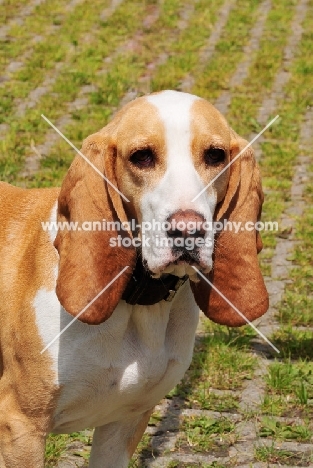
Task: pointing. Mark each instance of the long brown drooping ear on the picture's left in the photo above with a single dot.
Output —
(89, 259)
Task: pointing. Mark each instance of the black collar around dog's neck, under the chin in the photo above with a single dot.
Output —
(144, 290)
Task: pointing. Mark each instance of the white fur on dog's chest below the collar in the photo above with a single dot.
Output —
(121, 367)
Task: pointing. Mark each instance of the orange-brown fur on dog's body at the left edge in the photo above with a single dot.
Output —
(27, 390)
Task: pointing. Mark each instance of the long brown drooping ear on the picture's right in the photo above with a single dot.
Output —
(236, 272)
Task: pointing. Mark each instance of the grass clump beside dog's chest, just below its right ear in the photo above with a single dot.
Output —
(222, 361)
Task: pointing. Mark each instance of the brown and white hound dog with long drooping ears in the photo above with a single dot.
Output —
(136, 303)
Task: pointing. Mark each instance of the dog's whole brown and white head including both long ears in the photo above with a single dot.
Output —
(161, 152)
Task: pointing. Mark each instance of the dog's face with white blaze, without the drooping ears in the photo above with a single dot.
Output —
(180, 144)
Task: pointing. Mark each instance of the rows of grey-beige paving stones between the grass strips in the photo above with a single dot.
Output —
(166, 432)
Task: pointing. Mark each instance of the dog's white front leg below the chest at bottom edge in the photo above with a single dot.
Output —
(115, 443)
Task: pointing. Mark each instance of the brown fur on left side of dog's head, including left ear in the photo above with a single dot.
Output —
(87, 262)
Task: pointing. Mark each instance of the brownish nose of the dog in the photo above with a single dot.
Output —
(185, 224)
